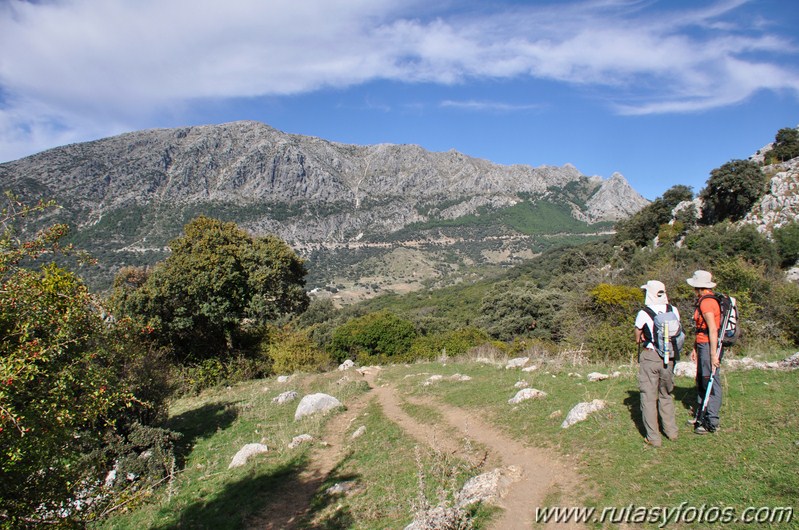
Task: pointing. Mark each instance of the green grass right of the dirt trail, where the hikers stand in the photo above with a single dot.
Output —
(749, 462)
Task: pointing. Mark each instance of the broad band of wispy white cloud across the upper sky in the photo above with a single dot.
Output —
(72, 68)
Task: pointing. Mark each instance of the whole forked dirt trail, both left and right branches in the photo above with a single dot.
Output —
(541, 471)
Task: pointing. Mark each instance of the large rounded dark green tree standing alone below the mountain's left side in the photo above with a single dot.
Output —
(216, 277)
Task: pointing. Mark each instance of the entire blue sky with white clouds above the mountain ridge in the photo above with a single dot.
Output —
(659, 91)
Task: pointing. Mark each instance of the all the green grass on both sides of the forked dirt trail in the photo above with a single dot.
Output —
(751, 461)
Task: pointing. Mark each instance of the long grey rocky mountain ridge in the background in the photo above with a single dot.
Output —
(135, 191)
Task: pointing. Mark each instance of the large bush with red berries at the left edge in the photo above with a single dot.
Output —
(69, 381)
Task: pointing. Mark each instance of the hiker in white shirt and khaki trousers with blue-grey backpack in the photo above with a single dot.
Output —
(656, 364)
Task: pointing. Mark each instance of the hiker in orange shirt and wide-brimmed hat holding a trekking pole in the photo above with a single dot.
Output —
(707, 317)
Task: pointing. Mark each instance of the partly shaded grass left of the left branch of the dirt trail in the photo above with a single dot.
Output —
(205, 493)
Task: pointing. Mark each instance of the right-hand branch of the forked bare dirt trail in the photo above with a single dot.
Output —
(542, 472)
